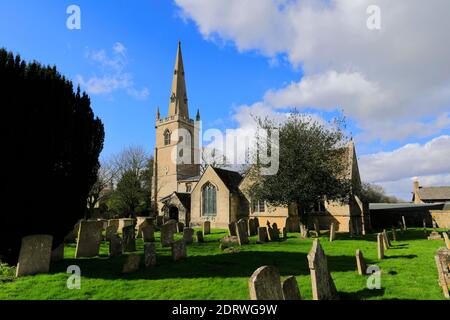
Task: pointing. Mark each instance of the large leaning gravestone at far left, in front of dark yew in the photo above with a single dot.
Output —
(35, 254)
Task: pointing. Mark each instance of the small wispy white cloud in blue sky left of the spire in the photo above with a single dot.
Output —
(113, 73)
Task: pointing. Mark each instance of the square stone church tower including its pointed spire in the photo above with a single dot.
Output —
(177, 155)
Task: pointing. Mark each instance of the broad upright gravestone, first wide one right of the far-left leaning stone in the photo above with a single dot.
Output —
(89, 238)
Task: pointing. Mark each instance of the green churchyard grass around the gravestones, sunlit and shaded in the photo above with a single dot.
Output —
(408, 271)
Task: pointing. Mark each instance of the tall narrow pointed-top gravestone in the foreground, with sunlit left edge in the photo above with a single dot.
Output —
(323, 287)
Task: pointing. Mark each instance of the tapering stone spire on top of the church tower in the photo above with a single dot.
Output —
(178, 97)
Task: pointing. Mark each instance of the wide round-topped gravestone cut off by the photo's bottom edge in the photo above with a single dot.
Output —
(265, 284)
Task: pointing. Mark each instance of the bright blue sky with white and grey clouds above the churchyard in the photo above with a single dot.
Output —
(259, 57)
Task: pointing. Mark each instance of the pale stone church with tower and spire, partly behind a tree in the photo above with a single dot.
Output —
(183, 193)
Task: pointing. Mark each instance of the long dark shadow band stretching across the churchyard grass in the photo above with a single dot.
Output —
(221, 265)
